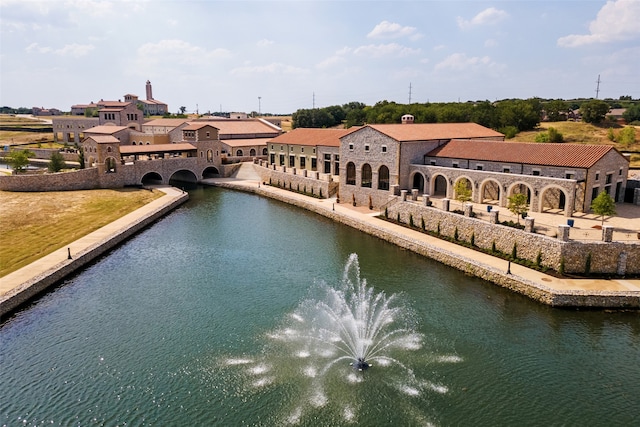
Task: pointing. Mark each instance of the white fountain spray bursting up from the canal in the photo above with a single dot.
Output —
(339, 339)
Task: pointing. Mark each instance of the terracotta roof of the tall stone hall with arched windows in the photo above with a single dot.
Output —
(434, 131)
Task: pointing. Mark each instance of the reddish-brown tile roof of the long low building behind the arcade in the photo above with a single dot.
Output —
(563, 155)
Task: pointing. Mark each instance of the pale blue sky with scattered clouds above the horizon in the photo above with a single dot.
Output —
(281, 56)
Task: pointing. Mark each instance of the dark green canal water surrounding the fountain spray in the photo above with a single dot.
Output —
(175, 327)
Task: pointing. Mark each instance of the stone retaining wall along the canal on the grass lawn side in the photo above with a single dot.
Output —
(30, 289)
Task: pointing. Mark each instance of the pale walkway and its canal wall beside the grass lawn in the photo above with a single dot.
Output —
(23, 284)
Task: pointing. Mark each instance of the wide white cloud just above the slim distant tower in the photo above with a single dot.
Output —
(180, 52)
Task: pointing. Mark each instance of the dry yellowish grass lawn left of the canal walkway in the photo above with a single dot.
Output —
(35, 224)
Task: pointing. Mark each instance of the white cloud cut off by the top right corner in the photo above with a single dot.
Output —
(617, 20)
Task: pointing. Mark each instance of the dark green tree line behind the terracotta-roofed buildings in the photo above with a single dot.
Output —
(507, 116)
